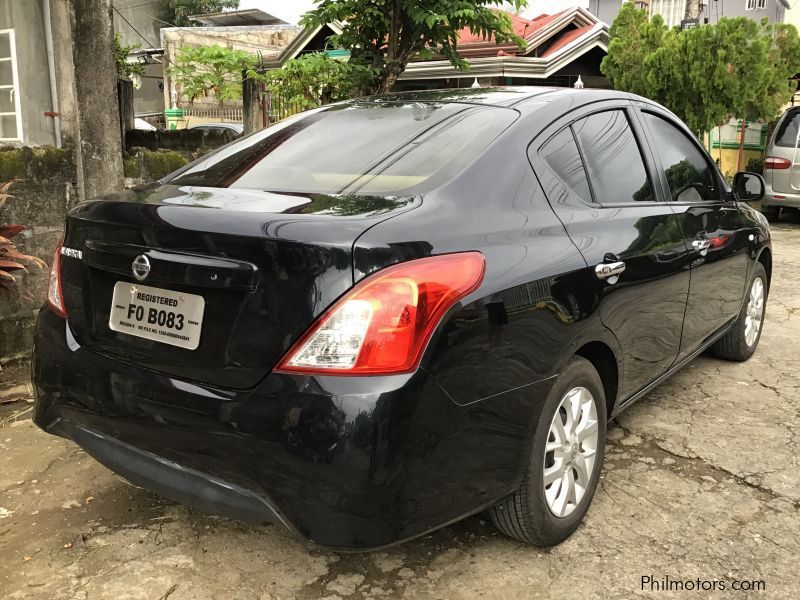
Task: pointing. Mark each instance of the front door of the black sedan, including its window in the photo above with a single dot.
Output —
(712, 225)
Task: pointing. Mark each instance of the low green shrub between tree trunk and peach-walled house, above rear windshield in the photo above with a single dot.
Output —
(315, 79)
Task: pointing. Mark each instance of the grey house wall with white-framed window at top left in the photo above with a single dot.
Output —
(28, 96)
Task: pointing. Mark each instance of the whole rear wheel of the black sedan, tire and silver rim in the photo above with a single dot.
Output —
(564, 465)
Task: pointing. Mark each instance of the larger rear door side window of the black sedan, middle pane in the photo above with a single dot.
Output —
(612, 155)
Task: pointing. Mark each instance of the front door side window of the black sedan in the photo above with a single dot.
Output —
(689, 174)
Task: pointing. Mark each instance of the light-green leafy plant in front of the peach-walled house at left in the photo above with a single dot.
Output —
(210, 70)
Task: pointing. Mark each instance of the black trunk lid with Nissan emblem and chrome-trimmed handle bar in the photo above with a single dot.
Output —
(264, 266)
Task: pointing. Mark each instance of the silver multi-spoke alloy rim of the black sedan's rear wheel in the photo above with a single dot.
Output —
(570, 452)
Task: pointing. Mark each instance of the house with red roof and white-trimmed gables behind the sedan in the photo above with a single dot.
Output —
(558, 49)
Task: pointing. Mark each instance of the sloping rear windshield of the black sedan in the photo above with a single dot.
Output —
(356, 148)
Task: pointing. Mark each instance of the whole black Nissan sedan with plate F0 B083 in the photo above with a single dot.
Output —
(379, 317)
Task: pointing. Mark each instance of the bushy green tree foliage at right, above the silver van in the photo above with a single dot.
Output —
(707, 74)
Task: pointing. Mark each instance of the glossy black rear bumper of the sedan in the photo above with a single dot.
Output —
(345, 463)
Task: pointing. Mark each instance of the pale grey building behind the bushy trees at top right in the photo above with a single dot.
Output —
(675, 11)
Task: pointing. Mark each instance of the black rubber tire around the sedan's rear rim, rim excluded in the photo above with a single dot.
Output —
(527, 515)
